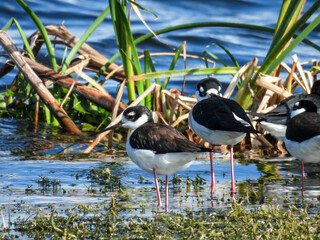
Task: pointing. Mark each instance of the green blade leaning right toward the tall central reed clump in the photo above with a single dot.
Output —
(84, 38)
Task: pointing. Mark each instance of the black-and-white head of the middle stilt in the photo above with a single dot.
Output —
(208, 87)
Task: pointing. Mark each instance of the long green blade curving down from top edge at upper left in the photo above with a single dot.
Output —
(42, 31)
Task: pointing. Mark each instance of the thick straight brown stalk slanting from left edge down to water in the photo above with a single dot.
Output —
(37, 84)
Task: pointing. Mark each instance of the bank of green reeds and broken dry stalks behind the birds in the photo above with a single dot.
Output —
(64, 100)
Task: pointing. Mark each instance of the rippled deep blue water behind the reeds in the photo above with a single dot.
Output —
(243, 44)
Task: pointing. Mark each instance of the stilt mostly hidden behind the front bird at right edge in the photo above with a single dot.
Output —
(275, 121)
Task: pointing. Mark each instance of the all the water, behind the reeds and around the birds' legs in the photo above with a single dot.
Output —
(27, 156)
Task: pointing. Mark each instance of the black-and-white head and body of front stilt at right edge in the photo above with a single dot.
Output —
(302, 137)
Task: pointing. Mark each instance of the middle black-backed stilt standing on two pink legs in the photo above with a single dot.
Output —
(219, 121)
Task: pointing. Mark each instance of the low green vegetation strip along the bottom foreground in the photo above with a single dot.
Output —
(108, 220)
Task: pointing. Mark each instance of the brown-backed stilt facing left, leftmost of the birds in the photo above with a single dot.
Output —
(157, 148)
